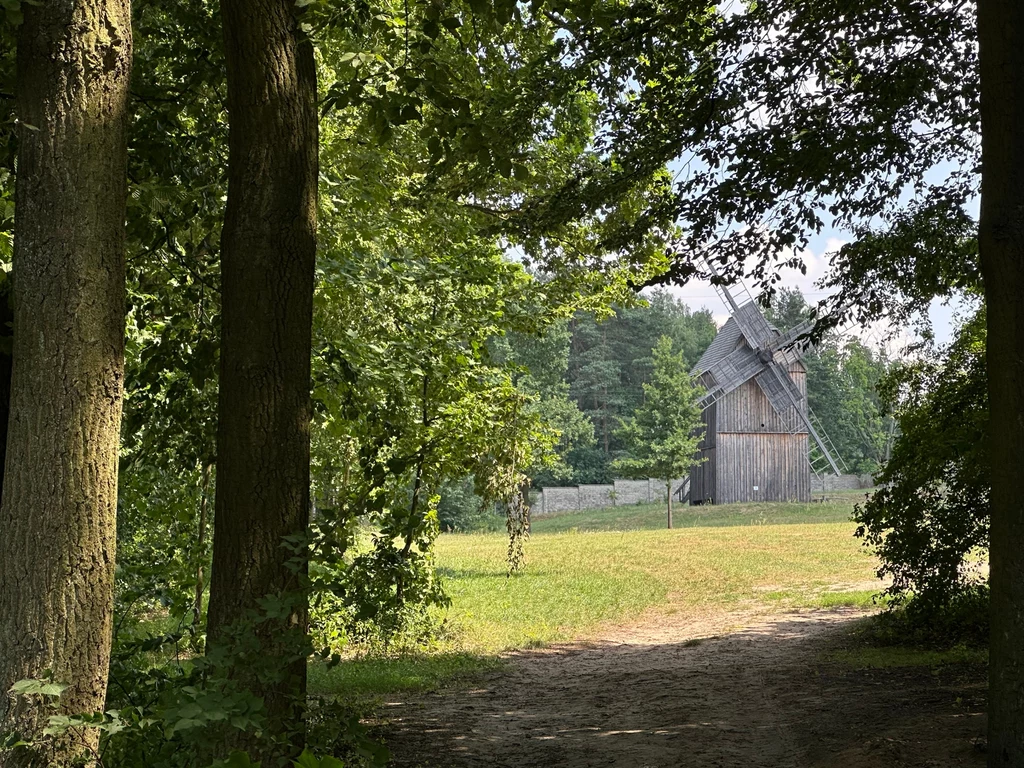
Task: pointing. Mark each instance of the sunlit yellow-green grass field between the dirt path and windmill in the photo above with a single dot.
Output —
(587, 571)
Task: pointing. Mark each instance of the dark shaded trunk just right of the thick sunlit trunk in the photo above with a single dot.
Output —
(268, 265)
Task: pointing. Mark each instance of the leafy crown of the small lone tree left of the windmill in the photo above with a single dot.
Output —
(664, 432)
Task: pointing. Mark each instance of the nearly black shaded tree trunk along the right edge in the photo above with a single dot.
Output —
(1001, 28)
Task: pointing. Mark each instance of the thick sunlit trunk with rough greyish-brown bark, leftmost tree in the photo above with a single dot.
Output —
(58, 517)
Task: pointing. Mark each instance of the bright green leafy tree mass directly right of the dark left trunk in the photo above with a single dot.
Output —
(407, 395)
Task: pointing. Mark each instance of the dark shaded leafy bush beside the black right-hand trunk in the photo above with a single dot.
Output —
(929, 521)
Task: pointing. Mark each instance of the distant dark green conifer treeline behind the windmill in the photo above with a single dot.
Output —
(608, 361)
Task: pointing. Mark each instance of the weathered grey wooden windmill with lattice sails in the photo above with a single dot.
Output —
(758, 426)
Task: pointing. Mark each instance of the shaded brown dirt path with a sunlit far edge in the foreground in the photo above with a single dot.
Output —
(669, 694)
